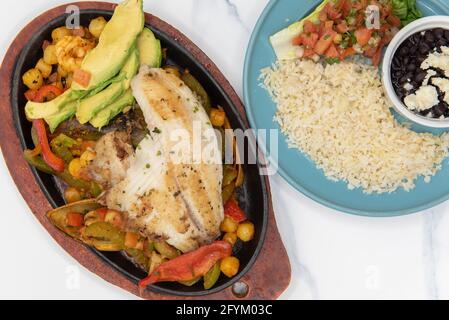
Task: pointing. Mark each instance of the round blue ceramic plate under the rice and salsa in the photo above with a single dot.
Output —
(294, 166)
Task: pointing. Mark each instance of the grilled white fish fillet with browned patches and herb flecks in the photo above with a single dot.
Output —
(172, 188)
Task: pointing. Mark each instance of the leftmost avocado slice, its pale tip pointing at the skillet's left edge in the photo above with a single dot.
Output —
(37, 110)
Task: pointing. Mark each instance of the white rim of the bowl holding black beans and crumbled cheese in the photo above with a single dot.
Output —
(419, 25)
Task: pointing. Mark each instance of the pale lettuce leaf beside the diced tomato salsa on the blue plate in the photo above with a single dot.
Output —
(282, 41)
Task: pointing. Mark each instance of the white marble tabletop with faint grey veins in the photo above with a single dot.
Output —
(334, 256)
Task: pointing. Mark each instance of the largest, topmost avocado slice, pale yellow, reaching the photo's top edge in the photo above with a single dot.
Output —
(115, 44)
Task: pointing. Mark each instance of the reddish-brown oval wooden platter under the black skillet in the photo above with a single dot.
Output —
(269, 276)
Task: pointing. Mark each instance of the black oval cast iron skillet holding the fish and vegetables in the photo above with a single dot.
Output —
(253, 195)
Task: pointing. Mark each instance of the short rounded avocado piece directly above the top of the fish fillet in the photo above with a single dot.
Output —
(150, 50)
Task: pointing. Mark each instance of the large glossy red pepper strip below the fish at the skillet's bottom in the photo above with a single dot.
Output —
(189, 265)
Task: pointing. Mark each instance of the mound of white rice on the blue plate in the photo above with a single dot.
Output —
(338, 116)
